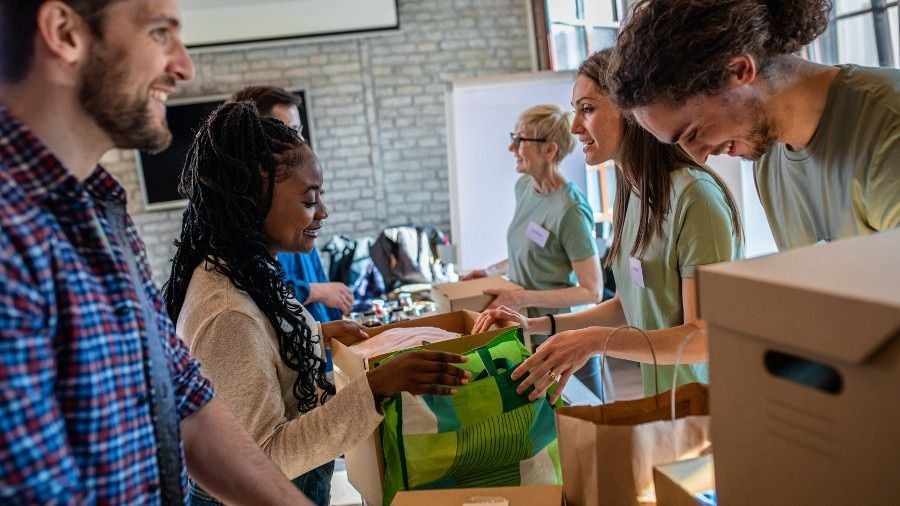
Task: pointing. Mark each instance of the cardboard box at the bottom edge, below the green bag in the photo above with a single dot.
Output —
(537, 495)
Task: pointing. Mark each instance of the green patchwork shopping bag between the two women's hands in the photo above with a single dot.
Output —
(485, 435)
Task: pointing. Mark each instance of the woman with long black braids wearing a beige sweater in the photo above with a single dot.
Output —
(254, 189)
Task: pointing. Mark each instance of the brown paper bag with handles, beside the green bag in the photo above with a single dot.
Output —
(608, 451)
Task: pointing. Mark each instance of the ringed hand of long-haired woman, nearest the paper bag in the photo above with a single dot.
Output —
(556, 360)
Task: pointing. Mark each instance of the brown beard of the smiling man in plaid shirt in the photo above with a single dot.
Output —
(125, 118)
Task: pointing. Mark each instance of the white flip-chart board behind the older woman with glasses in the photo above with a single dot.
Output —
(480, 114)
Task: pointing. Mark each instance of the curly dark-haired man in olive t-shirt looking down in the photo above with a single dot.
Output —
(722, 77)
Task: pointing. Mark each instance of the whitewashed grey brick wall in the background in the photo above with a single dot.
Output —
(376, 107)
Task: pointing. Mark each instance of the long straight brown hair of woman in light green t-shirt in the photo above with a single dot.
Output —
(645, 167)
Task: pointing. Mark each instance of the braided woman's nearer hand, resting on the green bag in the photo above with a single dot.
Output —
(418, 372)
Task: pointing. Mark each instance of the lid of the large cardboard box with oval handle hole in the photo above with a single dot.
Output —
(839, 300)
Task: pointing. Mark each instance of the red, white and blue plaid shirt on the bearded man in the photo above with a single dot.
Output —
(75, 421)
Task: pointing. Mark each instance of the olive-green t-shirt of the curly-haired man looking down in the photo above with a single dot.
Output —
(847, 181)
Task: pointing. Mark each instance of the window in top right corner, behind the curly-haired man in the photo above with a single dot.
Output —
(862, 32)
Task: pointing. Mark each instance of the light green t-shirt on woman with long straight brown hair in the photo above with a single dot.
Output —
(697, 231)
